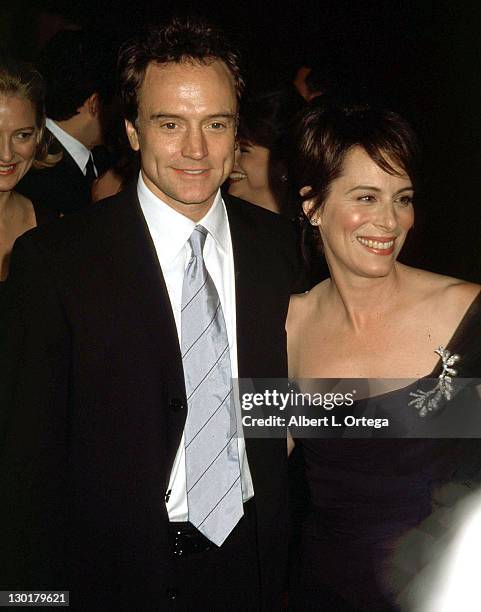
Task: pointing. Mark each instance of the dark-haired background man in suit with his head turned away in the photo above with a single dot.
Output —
(77, 83)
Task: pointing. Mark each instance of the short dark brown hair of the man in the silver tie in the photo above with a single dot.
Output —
(181, 39)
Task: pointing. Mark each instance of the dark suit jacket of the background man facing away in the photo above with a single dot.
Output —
(62, 188)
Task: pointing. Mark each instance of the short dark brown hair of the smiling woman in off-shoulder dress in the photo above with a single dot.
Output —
(326, 132)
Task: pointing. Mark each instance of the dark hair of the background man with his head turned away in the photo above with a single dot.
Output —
(74, 65)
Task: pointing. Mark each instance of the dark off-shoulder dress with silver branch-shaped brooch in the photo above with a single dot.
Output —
(366, 495)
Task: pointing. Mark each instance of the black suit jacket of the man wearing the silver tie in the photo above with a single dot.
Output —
(93, 403)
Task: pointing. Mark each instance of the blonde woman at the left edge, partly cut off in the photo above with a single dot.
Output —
(22, 121)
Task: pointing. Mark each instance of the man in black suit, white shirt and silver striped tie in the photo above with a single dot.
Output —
(116, 322)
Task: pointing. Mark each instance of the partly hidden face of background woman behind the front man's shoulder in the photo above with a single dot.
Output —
(249, 179)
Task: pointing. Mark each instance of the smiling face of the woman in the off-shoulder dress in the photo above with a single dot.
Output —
(366, 217)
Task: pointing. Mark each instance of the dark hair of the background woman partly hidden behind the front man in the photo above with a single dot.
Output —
(266, 120)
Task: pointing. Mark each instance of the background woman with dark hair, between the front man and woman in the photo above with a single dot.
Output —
(260, 172)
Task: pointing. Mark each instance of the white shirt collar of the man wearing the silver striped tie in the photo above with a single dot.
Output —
(172, 230)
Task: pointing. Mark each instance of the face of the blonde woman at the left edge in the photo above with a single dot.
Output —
(18, 139)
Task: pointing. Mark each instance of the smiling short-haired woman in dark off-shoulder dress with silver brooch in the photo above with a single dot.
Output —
(356, 169)
